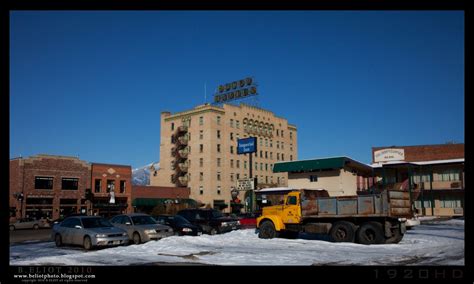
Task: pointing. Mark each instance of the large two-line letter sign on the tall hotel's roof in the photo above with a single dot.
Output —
(236, 90)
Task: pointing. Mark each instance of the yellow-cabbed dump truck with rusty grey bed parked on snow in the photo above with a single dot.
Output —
(366, 219)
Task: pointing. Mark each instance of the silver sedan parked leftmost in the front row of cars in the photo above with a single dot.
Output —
(88, 231)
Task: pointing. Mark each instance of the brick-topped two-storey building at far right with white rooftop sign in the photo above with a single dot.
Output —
(436, 172)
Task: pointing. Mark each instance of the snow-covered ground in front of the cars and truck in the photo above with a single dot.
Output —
(437, 243)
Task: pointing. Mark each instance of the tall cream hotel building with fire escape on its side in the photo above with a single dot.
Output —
(198, 149)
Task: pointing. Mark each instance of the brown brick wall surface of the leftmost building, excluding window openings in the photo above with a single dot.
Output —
(51, 166)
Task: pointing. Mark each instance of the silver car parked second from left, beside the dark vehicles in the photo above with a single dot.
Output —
(141, 227)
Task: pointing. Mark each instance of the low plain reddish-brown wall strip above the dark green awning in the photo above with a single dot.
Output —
(140, 191)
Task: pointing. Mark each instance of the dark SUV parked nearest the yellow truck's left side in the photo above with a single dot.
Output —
(211, 221)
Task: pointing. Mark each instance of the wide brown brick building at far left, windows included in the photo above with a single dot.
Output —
(51, 186)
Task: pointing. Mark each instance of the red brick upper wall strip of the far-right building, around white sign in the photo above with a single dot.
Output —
(428, 152)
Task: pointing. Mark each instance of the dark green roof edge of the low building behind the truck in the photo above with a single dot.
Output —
(318, 164)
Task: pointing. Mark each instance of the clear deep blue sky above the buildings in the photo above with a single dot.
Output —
(93, 83)
